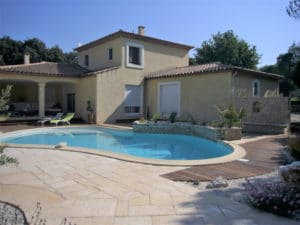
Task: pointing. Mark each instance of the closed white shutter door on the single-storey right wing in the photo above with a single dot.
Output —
(169, 98)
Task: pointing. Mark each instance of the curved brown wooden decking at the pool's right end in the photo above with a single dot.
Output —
(264, 157)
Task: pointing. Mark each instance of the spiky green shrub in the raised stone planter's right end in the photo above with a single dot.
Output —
(230, 116)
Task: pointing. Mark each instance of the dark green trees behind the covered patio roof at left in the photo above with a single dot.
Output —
(11, 52)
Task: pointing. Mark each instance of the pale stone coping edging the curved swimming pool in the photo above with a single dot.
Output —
(238, 152)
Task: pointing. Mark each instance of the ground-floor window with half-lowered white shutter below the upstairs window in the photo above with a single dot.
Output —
(133, 99)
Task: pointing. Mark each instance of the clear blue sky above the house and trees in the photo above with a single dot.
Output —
(262, 23)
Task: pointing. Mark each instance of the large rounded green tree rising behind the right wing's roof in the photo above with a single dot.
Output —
(227, 48)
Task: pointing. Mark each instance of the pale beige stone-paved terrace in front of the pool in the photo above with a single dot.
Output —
(94, 190)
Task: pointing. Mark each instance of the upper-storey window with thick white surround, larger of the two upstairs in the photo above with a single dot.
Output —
(134, 55)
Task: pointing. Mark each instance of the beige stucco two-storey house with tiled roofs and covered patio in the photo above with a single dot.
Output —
(127, 76)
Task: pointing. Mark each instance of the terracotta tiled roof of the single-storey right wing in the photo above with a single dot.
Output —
(204, 68)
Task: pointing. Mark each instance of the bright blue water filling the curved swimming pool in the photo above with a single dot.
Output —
(156, 146)
